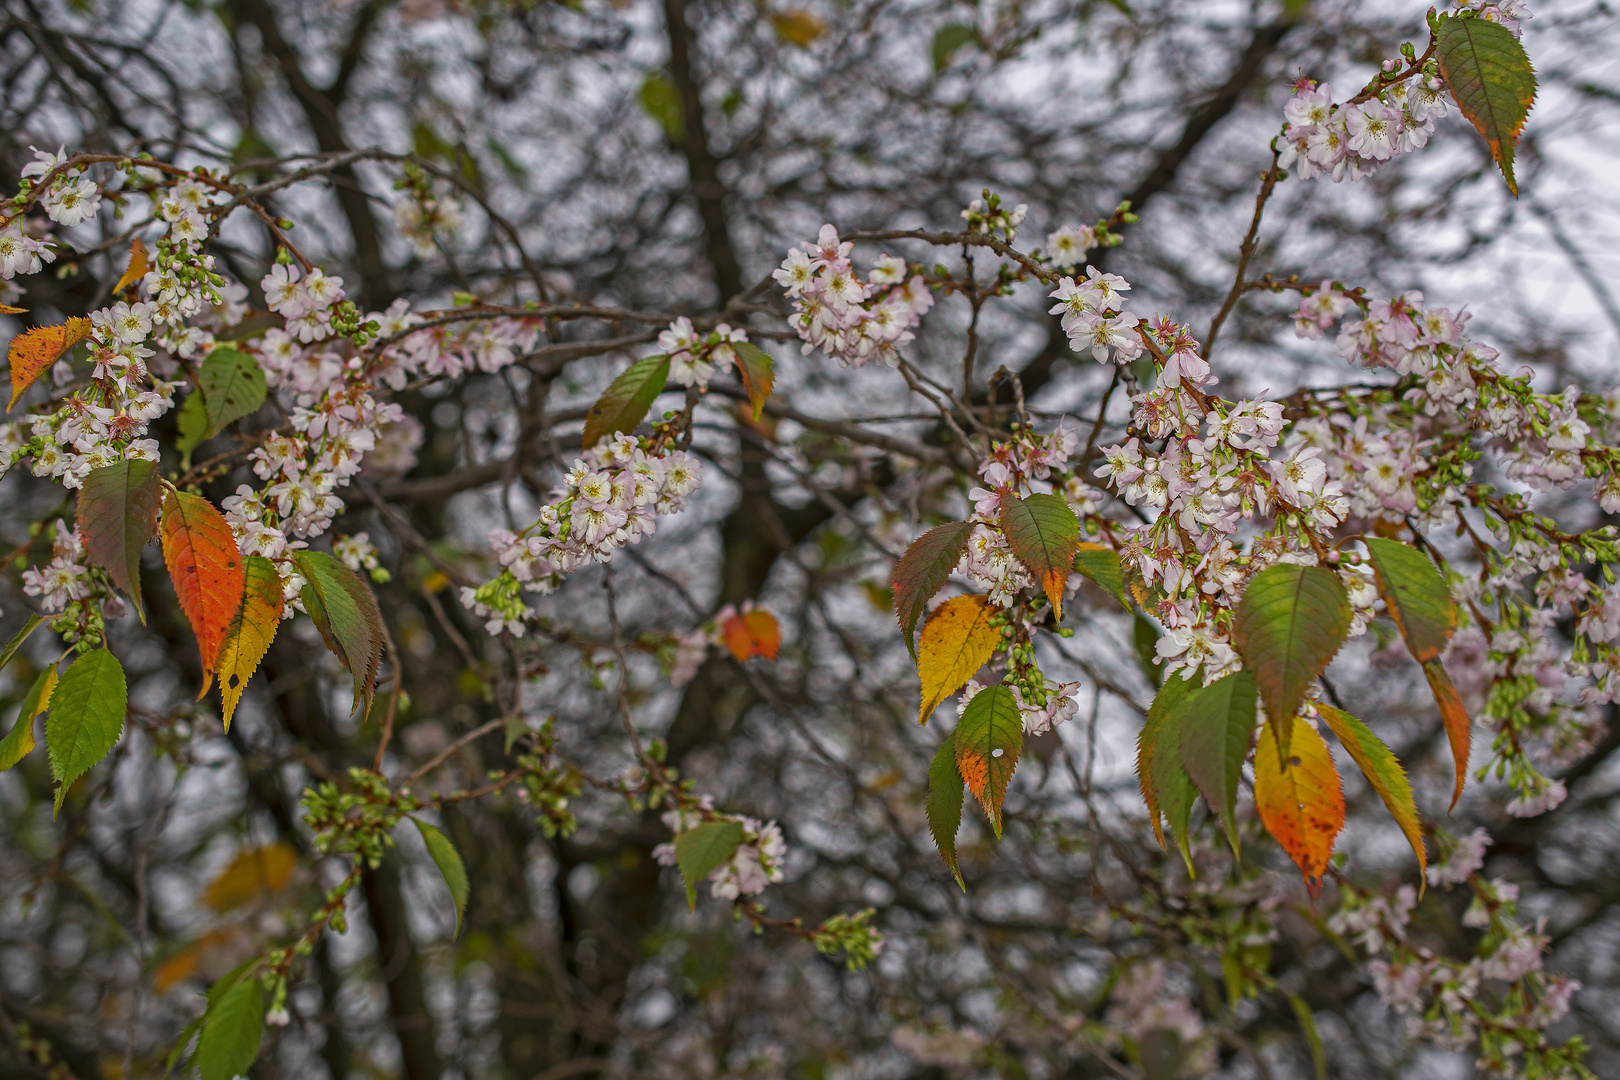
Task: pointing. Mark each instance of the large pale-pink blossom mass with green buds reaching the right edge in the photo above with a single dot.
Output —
(1415, 459)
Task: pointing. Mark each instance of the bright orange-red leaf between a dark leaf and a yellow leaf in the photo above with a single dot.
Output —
(207, 569)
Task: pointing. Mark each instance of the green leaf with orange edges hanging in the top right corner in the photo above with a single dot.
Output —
(1493, 82)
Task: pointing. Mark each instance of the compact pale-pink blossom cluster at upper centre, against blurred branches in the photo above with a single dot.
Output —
(853, 321)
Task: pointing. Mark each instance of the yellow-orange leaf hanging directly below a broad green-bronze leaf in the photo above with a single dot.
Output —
(1302, 802)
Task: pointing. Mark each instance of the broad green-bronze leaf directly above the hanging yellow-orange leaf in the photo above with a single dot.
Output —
(1290, 623)
